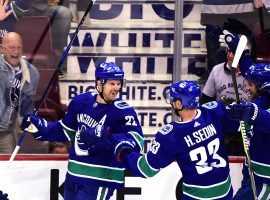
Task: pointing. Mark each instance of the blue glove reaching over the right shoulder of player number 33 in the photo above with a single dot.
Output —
(245, 111)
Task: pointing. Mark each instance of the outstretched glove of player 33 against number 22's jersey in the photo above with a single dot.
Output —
(122, 146)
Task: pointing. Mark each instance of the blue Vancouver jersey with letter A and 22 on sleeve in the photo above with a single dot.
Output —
(84, 112)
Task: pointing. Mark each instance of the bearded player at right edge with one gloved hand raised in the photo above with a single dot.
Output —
(258, 76)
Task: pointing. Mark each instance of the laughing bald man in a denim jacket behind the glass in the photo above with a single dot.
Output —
(18, 84)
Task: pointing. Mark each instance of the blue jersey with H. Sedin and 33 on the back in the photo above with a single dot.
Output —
(198, 148)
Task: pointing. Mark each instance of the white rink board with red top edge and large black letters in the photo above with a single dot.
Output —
(42, 178)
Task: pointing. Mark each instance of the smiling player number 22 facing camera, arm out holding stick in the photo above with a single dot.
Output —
(92, 173)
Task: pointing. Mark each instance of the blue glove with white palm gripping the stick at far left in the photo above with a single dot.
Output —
(35, 125)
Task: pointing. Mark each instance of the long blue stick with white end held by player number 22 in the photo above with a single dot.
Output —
(55, 74)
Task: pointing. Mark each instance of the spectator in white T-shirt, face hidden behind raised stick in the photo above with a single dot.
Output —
(219, 86)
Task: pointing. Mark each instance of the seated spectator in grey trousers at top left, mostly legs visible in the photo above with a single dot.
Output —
(60, 17)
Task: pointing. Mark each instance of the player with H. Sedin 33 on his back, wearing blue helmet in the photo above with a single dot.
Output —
(195, 142)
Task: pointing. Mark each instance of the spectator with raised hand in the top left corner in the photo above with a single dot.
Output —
(10, 12)
